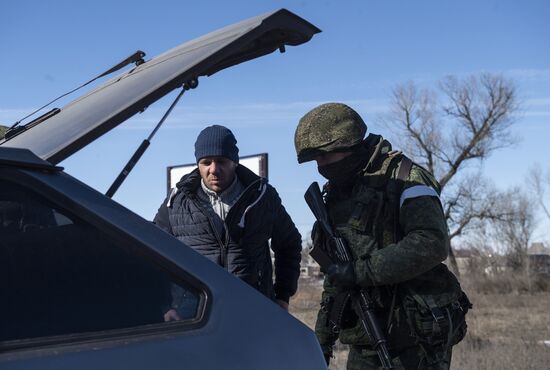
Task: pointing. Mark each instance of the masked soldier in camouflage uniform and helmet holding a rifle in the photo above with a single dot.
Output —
(388, 210)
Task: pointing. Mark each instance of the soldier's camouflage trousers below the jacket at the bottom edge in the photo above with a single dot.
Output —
(412, 358)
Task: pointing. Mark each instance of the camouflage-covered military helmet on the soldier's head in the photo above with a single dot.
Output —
(330, 127)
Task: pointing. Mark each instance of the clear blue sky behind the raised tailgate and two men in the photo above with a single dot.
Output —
(365, 49)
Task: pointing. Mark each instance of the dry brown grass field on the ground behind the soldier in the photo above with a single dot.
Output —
(505, 330)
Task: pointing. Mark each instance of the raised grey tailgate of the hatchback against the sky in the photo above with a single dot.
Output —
(90, 116)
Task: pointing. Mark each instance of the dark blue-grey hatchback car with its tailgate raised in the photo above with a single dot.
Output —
(85, 281)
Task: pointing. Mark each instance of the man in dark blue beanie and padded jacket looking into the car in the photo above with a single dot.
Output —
(228, 214)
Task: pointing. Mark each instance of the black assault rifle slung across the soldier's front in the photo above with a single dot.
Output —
(337, 251)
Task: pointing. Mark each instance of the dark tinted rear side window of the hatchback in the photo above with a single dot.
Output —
(60, 275)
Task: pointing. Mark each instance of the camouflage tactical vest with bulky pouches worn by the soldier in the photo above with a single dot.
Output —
(366, 215)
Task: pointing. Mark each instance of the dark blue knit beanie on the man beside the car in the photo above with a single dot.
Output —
(216, 141)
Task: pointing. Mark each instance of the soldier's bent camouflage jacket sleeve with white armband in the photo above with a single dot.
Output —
(425, 242)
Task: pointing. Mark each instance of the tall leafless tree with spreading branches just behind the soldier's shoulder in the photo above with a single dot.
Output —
(468, 121)
